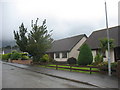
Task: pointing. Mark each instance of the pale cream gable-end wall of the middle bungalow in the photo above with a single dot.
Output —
(74, 52)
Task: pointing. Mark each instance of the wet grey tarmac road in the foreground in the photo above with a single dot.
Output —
(13, 77)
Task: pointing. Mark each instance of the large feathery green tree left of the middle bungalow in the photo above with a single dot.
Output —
(38, 40)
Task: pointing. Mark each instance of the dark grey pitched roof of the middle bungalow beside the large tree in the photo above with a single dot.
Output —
(65, 44)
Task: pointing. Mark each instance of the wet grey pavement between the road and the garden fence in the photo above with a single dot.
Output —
(102, 81)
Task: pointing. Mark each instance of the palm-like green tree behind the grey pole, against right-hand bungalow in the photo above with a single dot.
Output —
(104, 44)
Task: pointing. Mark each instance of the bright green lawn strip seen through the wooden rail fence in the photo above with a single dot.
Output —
(84, 68)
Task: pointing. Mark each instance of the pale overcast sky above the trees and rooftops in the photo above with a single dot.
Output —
(65, 17)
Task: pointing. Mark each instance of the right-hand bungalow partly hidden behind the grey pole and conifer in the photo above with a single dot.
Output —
(94, 43)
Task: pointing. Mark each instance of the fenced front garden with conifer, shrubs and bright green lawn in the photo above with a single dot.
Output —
(84, 63)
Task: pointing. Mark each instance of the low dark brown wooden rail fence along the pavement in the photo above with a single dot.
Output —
(82, 68)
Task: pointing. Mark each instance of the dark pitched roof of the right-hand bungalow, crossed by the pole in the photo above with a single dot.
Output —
(114, 33)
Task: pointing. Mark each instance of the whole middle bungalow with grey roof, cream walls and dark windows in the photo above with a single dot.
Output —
(63, 49)
